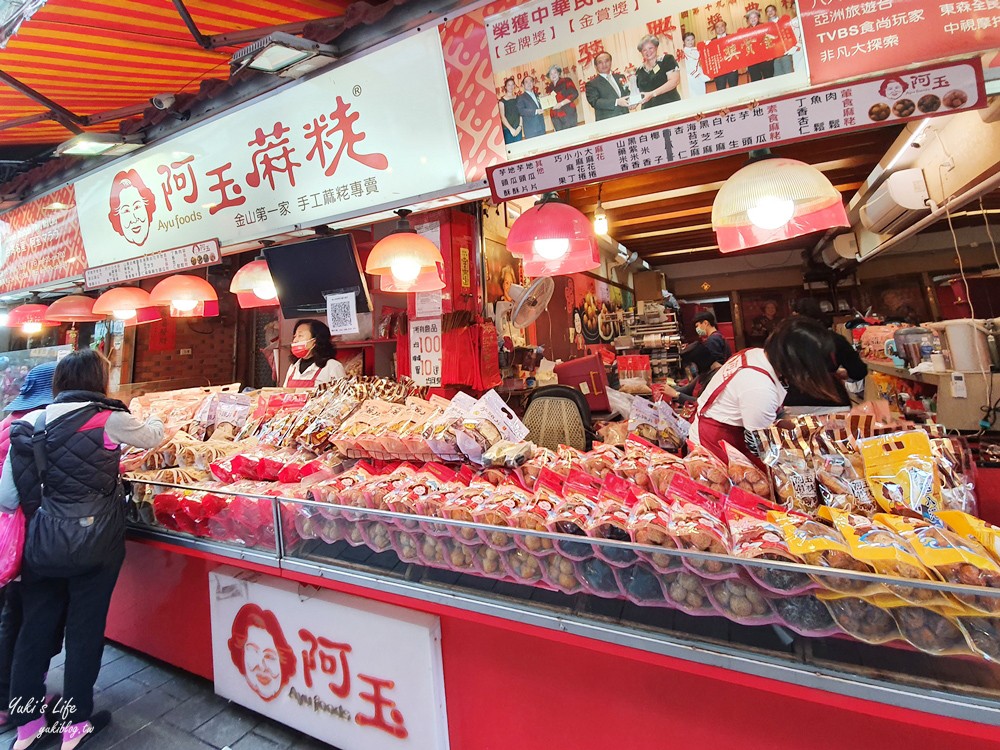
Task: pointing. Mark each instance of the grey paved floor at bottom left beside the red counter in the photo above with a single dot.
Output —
(157, 707)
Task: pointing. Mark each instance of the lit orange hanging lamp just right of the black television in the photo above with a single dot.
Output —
(406, 261)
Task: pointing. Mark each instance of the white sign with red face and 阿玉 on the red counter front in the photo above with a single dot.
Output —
(357, 674)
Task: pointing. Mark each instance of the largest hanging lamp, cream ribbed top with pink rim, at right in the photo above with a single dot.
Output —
(773, 199)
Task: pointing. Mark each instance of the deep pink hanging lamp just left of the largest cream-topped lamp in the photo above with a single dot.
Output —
(553, 239)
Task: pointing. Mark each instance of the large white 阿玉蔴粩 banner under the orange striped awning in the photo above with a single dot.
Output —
(351, 139)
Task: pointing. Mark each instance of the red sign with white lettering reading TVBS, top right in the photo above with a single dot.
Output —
(847, 38)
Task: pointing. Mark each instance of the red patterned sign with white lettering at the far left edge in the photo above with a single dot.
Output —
(40, 242)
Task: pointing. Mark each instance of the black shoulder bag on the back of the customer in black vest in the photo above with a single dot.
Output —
(70, 536)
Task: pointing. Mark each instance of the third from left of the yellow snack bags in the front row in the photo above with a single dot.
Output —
(954, 558)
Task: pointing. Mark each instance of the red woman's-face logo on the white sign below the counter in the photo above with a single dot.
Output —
(260, 652)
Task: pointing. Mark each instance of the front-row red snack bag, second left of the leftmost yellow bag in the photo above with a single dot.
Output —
(696, 524)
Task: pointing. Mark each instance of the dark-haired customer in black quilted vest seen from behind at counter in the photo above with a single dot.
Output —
(64, 461)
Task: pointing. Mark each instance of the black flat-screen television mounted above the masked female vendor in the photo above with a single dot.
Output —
(305, 272)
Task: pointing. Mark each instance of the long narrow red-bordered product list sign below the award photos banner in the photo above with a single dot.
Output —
(886, 100)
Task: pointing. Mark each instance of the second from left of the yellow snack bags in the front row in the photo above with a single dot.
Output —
(887, 553)
